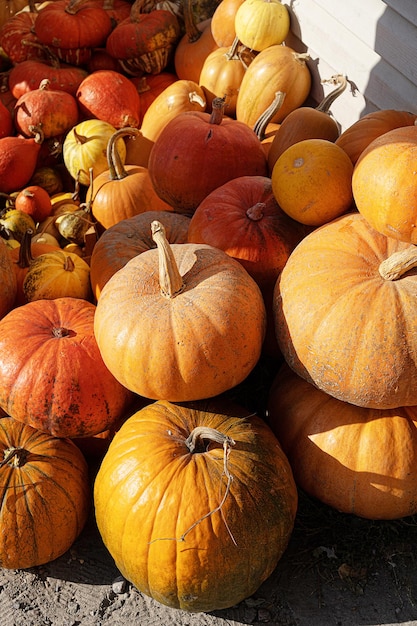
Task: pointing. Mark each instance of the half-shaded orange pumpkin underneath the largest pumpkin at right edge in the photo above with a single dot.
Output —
(360, 461)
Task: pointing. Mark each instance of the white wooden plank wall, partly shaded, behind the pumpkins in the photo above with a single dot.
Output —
(372, 42)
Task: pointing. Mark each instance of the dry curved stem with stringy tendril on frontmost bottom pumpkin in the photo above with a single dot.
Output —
(205, 432)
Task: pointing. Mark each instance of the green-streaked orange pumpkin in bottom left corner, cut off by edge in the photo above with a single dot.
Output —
(45, 494)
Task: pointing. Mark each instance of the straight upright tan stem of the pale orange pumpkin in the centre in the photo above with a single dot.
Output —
(170, 279)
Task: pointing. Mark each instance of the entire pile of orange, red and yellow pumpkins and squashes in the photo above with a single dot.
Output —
(172, 213)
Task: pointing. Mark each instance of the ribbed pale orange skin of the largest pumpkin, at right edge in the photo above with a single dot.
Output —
(340, 324)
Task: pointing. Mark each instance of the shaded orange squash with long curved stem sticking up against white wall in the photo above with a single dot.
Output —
(307, 123)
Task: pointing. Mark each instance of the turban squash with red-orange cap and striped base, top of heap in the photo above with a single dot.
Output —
(145, 42)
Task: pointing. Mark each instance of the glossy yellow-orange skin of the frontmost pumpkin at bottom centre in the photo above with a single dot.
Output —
(159, 516)
